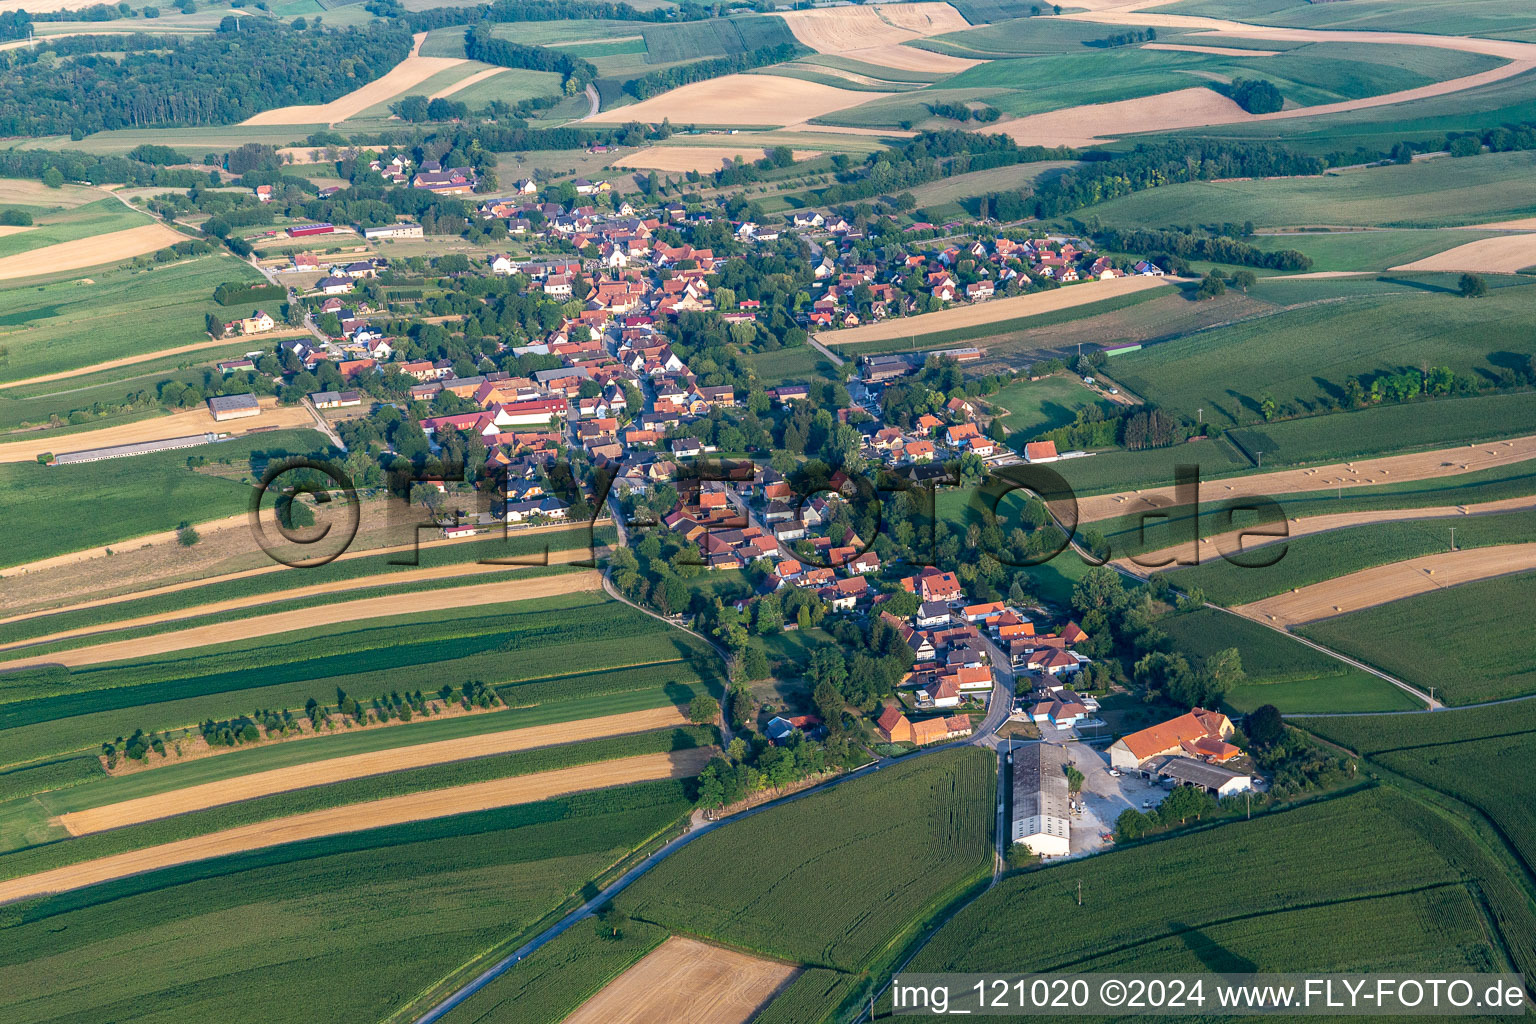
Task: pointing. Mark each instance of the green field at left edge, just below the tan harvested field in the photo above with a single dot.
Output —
(68, 325)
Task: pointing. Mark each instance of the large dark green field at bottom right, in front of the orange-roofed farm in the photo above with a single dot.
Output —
(1392, 893)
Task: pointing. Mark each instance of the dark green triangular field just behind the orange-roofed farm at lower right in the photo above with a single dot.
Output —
(1282, 672)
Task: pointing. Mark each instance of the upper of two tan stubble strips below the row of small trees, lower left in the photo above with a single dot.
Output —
(336, 770)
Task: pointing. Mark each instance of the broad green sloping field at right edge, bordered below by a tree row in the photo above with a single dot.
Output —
(1303, 357)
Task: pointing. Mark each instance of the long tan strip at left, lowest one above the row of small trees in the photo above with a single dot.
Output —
(471, 596)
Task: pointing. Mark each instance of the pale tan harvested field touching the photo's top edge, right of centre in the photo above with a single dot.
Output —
(875, 35)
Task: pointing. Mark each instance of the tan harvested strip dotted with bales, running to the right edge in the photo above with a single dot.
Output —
(1420, 466)
